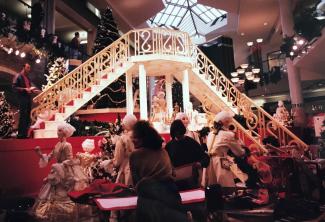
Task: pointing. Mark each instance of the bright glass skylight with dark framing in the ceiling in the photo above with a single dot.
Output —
(189, 16)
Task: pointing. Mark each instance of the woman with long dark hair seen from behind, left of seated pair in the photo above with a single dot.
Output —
(158, 198)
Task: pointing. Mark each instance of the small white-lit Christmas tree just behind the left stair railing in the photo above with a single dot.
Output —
(56, 72)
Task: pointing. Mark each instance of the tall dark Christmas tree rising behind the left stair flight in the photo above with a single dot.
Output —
(114, 95)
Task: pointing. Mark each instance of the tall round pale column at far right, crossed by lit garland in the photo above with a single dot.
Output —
(287, 24)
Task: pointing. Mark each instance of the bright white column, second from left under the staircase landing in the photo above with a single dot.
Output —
(143, 93)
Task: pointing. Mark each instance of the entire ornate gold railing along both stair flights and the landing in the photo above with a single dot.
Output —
(157, 43)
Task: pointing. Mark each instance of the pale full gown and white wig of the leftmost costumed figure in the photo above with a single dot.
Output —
(53, 203)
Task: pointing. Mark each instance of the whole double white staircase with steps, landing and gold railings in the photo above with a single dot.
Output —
(163, 48)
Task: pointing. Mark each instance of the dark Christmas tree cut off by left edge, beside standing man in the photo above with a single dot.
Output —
(6, 117)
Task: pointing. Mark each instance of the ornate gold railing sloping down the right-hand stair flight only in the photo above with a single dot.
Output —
(259, 123)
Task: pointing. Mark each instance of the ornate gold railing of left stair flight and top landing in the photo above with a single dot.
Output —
(135, 43)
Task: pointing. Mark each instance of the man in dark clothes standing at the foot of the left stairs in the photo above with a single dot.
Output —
(24, 89)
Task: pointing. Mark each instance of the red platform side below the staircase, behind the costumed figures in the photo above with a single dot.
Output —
(19, 171)
